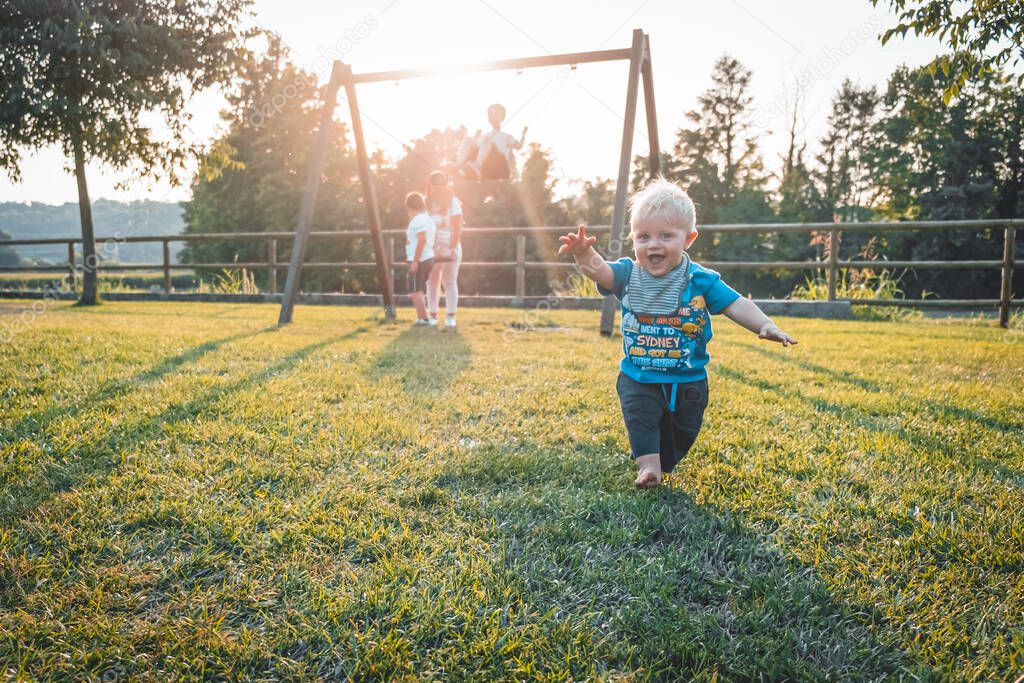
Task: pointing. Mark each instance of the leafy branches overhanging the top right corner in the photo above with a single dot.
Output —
(985, 37)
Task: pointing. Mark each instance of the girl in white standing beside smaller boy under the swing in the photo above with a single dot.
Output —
(446, 210)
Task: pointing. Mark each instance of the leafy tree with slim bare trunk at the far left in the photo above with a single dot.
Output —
(82, 74)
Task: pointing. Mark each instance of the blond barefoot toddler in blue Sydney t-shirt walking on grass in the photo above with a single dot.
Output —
(667, 302)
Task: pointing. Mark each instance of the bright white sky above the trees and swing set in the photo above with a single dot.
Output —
(799, 52)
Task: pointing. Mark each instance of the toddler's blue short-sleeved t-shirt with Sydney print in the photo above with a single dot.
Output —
(665, 350)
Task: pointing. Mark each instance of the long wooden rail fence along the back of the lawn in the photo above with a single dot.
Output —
(832, 266)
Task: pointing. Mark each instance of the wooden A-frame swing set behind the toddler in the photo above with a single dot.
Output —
(638, 56)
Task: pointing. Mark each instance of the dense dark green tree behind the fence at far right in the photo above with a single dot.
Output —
(962, 161)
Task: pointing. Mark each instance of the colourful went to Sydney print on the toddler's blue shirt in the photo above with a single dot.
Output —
(666, 343)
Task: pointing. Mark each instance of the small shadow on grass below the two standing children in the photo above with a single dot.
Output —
(423, 359)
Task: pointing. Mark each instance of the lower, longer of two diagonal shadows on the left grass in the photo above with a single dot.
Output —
(98, 460)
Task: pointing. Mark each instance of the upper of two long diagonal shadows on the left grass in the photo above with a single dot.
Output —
(116, 389)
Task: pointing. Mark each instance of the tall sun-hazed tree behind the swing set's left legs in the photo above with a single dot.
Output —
(253, 178)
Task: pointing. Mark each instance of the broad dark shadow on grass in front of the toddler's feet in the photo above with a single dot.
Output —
(670, 589)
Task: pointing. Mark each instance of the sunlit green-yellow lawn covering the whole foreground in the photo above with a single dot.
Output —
(190, 492)
